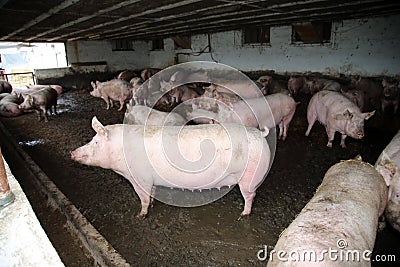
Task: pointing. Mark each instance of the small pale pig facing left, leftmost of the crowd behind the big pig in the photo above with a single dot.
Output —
(117, 90)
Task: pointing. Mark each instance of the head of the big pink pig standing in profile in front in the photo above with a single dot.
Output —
(97, 151)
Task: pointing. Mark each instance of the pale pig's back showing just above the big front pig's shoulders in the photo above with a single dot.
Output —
(144, 115)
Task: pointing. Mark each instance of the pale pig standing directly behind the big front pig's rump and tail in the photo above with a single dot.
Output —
(253, 112)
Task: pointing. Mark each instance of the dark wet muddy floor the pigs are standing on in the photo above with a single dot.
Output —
(209, 235)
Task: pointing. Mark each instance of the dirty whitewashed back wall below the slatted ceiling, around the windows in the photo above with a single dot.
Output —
(365, 47)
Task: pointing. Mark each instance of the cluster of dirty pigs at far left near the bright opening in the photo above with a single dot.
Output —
(17, 101)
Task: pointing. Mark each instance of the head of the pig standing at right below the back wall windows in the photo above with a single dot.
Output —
(354, 122)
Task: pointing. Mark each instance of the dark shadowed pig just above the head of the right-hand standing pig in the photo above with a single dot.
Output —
(372, 90)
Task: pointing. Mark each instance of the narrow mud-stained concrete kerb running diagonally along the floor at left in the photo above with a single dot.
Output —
(102, 252)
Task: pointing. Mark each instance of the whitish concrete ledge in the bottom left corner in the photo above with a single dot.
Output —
(23, 241)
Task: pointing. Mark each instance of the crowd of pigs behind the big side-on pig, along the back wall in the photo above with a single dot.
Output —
(340, 107)
